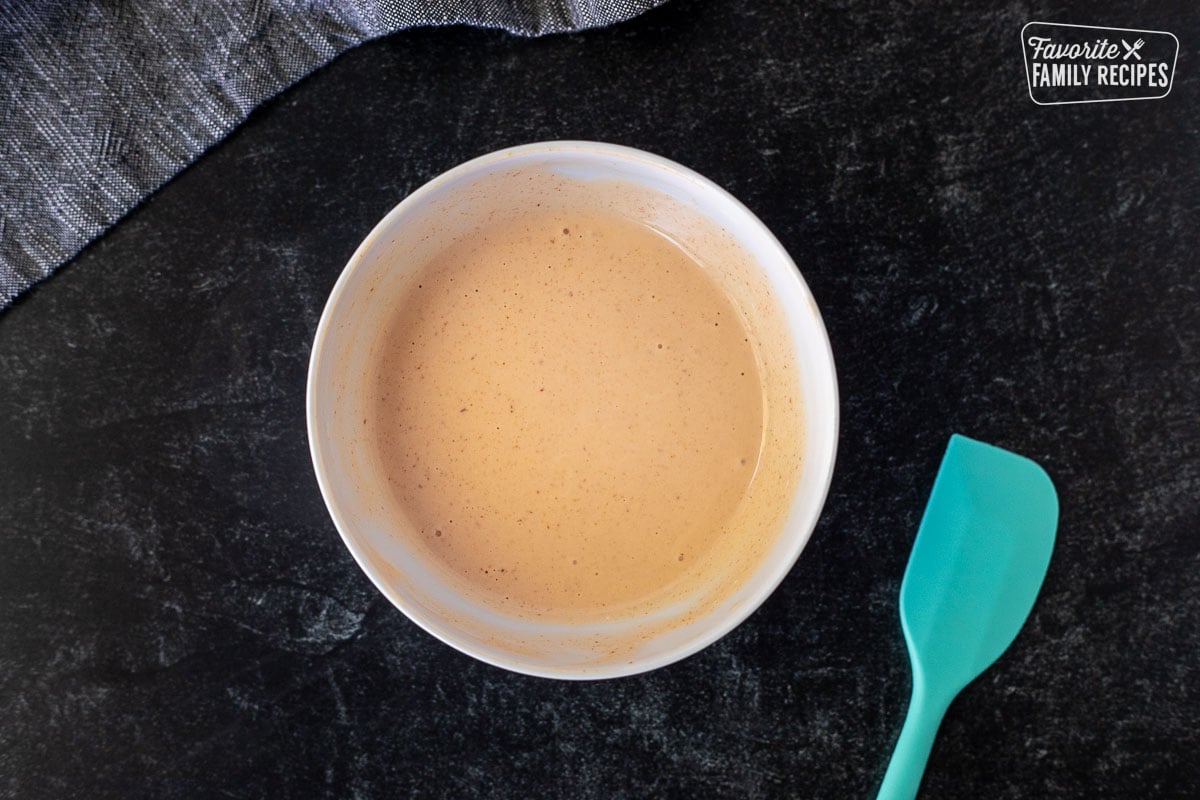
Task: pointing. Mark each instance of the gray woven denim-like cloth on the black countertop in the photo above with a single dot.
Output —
(104, 103)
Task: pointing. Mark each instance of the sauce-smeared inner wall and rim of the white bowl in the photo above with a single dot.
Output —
(778, 310)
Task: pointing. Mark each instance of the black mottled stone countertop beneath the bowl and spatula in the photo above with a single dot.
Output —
(179, 619)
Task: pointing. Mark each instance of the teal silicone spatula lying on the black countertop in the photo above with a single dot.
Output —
(982, 551)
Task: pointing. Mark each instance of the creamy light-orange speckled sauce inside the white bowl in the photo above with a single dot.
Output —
(569, 413)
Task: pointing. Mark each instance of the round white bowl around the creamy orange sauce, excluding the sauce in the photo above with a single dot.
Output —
(344, 344)
